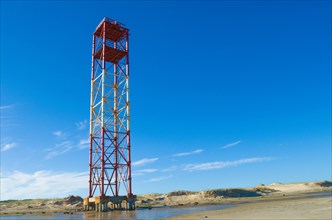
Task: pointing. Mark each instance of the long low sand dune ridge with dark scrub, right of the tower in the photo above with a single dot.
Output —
(189, 198)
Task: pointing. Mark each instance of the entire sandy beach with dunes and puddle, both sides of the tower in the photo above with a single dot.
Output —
(308, 200)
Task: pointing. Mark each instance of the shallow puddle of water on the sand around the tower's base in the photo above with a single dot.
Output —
(138, 214)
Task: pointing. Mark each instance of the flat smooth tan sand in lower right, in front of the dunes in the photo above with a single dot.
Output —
(286, 207)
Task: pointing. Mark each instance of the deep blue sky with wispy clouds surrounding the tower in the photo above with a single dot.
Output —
(223, 93)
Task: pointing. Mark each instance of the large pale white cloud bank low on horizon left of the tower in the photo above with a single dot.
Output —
(42, 184)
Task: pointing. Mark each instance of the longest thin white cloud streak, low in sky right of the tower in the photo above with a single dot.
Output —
(222, 164)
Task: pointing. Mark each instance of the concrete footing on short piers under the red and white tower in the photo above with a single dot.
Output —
(106, 203)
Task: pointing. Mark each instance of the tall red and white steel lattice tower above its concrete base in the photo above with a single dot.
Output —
(110, 163)
